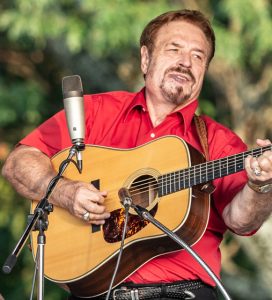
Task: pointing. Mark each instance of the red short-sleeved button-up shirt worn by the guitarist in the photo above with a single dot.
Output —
(121, 119)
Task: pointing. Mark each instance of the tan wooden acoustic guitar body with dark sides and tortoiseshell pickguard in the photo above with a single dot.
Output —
(82, 257)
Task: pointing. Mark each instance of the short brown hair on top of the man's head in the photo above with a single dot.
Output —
(192, 16)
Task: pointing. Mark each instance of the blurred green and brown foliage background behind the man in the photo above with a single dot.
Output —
(41, 41)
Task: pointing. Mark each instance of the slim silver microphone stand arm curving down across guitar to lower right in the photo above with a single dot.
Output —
(144, 213)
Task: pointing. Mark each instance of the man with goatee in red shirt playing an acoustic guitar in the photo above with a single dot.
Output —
(176, 49)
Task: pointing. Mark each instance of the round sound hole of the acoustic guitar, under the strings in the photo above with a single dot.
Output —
(144, 190)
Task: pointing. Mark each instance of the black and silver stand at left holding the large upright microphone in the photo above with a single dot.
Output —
(39, 221)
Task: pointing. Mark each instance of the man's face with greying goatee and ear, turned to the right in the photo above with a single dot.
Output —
(177, 65)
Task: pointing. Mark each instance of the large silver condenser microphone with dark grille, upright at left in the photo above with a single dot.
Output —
(74, 110)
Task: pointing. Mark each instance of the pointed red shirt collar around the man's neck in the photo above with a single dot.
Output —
(186, 113)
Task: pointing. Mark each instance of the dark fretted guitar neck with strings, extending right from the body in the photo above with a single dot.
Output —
(202, 173)
